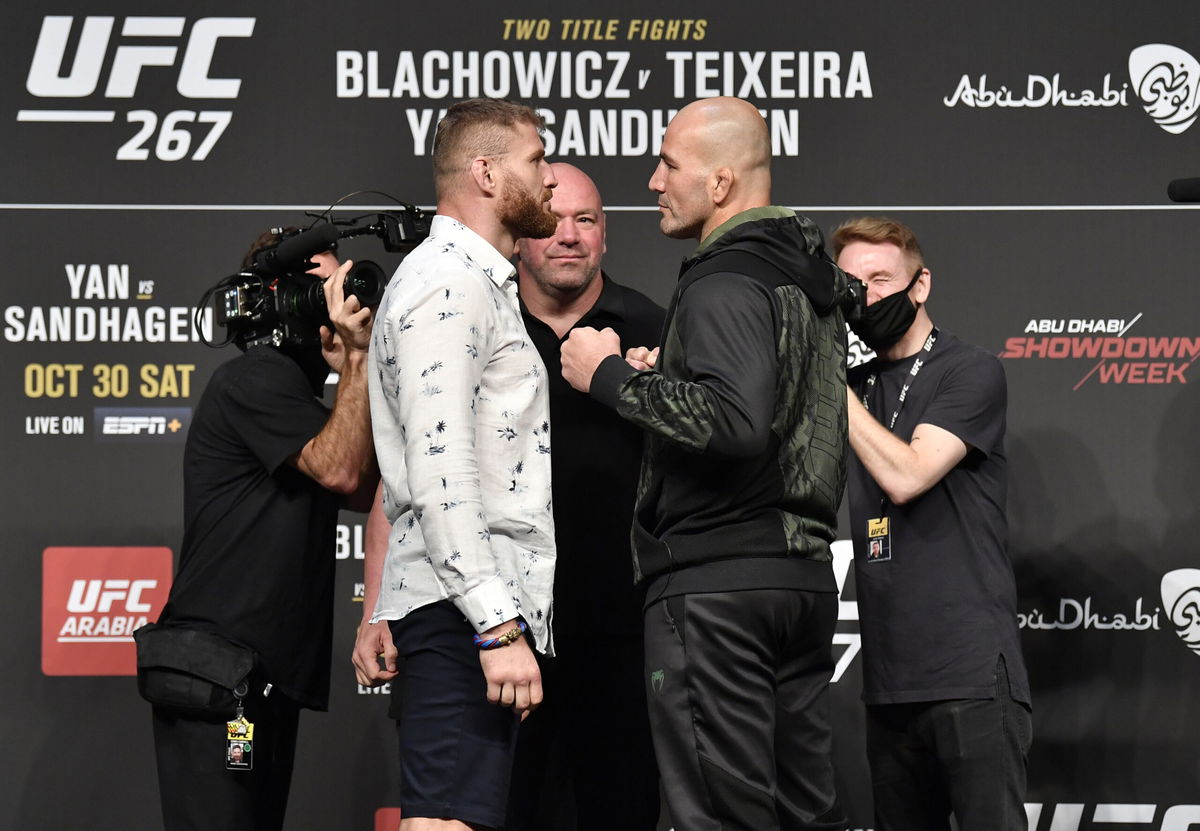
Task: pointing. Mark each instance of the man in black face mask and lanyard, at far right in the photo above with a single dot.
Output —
(944, 678)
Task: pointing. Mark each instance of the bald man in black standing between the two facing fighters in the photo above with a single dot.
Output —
(592, 734)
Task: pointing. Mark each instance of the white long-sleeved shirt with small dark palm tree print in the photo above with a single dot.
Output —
(461, 428)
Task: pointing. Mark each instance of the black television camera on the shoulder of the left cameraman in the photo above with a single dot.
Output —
(275, 302)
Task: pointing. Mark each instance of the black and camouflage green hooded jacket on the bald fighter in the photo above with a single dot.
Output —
(745, 414)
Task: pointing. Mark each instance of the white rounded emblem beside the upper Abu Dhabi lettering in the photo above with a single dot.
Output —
(1168, 81)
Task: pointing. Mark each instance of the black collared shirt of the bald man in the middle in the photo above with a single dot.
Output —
(595, 469)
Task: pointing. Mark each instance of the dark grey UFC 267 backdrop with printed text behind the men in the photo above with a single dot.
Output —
(1029, 145)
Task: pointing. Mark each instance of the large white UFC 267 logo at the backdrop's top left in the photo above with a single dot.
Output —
(141, 44)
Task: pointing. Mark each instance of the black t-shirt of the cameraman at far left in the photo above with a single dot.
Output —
(257, 560)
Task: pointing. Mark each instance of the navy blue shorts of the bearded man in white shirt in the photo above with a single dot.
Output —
(455, 746)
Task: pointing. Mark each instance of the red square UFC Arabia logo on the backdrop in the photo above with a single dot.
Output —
(93, 600)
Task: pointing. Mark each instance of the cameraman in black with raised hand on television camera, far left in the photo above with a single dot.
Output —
(266, 469)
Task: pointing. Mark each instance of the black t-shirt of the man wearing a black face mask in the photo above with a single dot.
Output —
(940, 606)
